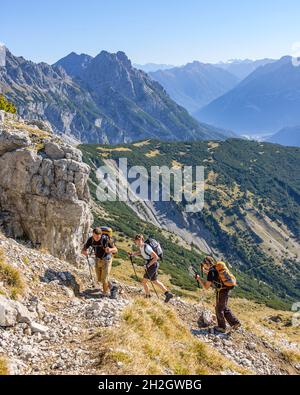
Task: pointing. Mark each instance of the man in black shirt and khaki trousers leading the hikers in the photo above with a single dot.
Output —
(104, 249)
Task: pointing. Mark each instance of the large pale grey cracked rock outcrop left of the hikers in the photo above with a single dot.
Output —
(44, 196)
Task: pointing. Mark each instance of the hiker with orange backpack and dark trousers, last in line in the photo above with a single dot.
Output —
(220, 277)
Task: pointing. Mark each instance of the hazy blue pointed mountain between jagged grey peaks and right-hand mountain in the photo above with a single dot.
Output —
(195, 84)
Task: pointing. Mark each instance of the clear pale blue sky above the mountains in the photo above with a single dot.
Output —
(160, 31)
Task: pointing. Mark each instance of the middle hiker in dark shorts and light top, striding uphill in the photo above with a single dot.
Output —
(151, 267)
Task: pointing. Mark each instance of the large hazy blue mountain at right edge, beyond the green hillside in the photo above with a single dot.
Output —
(264, 102)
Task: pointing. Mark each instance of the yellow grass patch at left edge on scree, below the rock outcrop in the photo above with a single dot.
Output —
(11, 277)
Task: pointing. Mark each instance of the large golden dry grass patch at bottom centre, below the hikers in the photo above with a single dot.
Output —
(152, 339)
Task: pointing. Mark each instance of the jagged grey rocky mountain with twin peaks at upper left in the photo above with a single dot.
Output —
(102, 99)
